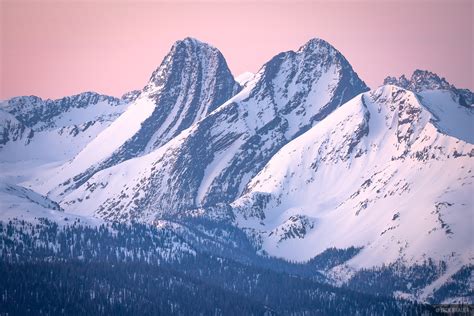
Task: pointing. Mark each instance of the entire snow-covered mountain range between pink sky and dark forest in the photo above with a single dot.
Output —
(300, 156)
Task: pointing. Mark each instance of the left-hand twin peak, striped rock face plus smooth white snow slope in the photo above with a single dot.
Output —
(192, 81)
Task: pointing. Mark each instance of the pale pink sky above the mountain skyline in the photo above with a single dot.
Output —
(57, 48)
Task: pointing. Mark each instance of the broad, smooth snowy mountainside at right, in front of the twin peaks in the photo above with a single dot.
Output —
(377, 174)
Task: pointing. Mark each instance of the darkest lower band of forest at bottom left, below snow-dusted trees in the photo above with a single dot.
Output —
(94, 288)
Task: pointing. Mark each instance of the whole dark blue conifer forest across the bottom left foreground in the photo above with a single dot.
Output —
(140, 269)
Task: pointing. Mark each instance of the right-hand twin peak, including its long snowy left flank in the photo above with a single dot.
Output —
(213, 160)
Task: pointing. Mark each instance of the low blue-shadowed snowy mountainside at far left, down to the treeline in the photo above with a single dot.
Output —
(37, 134)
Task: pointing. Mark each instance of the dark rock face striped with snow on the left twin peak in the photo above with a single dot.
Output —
(191, 82)
